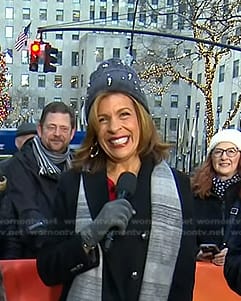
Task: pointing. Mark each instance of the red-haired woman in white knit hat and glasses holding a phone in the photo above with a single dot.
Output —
(216, 186)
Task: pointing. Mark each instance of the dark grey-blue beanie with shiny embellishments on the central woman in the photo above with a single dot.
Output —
(113, 75)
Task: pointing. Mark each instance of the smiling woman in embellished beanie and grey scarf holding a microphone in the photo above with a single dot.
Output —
(125, 228)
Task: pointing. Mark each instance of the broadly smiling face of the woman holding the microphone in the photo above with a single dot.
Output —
(118, 132)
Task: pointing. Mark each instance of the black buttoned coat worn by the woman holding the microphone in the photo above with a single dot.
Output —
(63, 257)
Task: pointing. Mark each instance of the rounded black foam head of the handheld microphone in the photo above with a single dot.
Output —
(126, 185)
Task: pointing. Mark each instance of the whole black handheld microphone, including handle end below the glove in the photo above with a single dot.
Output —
(125, 188)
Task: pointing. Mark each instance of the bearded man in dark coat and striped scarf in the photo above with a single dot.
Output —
(32, 175)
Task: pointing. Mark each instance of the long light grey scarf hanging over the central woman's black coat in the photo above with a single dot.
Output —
(163, 248)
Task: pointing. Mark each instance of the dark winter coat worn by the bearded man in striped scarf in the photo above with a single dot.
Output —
(28, 200)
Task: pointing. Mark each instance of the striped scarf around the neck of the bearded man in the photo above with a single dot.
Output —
(48, 161)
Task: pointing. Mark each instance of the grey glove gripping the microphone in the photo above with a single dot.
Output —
(115, 214)
